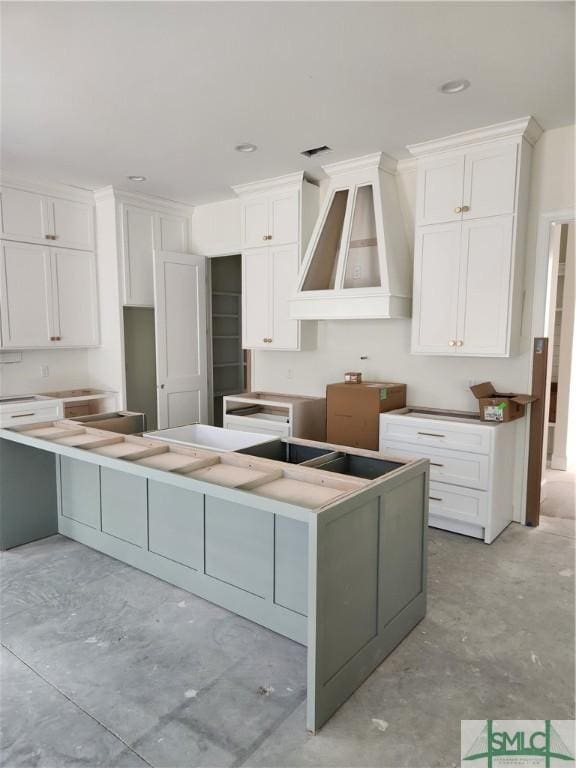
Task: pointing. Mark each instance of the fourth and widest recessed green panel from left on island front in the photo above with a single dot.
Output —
(239, 544)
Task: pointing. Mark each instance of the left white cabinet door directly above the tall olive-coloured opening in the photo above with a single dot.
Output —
(139, 230)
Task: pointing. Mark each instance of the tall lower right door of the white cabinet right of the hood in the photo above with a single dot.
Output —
(484, 290)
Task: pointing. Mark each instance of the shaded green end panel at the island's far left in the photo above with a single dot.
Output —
(28, 498)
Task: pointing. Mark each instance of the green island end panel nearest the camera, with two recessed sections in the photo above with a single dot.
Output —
(367, 586)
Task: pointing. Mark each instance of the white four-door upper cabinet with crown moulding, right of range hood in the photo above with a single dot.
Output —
(470, 240)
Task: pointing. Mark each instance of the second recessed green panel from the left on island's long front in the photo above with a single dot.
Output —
(125, 506)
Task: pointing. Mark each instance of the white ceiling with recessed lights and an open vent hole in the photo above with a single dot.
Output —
(93, 92)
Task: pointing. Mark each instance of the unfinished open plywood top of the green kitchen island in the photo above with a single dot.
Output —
(309, 487)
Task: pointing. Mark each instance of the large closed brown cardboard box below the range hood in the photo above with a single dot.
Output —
(353, 410)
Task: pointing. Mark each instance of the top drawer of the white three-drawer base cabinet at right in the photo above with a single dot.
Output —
(474, 438)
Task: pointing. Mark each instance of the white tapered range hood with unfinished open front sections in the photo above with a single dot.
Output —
(357, 263)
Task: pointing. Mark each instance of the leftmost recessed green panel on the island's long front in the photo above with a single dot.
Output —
(80, 491)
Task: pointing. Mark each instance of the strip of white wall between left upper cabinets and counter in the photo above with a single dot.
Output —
(66, 367)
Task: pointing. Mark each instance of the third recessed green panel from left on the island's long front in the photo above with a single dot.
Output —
(176, 524)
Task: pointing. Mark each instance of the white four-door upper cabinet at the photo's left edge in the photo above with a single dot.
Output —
(48, 280)
